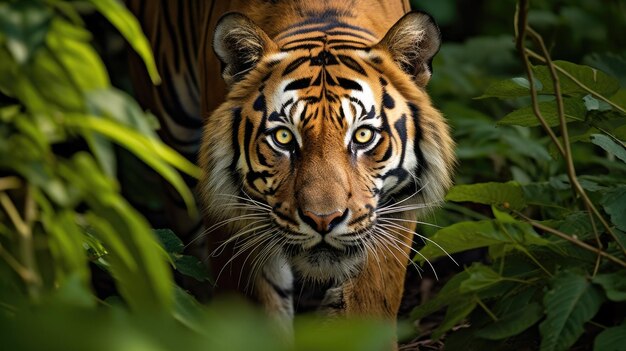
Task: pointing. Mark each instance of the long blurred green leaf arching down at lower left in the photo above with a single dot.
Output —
(135, 258)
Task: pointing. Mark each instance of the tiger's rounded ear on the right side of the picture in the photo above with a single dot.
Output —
(413, 42)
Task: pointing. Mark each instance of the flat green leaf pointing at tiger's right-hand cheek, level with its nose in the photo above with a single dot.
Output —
(500, 194)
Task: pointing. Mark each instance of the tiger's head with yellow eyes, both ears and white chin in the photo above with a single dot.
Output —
(324, 134)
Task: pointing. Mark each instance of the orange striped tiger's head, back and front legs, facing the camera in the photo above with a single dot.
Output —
(324, 154)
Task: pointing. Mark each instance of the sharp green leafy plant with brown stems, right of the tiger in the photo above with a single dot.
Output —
(554, 274)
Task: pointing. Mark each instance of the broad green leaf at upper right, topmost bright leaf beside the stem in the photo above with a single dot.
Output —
(592, 78)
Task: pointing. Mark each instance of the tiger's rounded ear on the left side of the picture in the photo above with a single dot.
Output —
(239, 44)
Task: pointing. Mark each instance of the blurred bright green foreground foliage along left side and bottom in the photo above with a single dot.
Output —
(63, 218)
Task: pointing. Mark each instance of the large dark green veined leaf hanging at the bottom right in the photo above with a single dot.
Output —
(571, 302)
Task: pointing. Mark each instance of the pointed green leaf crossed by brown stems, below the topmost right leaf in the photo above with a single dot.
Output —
(574, 109)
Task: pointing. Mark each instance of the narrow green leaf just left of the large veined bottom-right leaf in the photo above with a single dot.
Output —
(512, 323)
